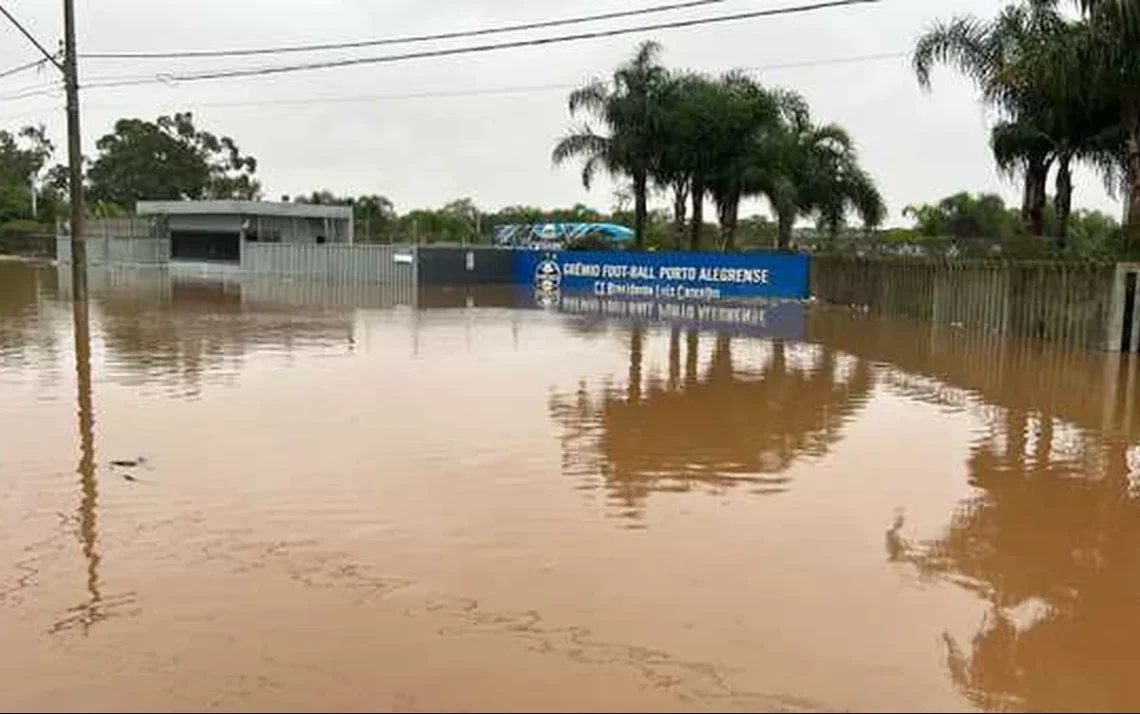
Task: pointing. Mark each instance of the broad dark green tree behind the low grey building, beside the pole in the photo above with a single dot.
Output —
(172, 160)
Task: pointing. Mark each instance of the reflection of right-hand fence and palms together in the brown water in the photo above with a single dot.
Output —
(1051, 539)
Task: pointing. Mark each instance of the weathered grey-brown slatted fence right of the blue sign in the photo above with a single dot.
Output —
(1079, 305)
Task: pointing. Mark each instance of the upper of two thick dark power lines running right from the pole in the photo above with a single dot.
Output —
(405, 40)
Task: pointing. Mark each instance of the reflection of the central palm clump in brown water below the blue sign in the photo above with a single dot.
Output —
(740, 424)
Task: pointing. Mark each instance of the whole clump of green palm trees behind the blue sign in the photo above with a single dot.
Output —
(727, 139)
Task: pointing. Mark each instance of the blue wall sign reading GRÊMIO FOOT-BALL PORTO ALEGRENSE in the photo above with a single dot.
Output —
(665, 277)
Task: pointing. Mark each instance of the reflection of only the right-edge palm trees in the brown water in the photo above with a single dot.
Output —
(1052, 541)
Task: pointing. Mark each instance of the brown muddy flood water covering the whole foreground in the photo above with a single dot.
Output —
(338, 500)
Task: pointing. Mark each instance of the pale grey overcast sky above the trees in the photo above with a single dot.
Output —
(491, 145)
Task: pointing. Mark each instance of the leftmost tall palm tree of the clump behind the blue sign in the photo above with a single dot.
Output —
(630, 108)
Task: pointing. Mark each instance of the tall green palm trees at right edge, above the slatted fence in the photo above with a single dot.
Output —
(1066, 92)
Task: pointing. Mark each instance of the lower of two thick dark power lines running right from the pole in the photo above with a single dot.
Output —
(486, 48)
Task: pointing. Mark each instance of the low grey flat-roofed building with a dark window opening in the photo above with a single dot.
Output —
(218, 231)
